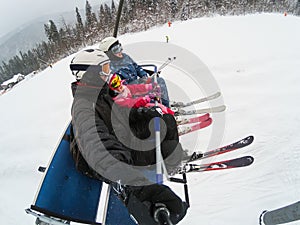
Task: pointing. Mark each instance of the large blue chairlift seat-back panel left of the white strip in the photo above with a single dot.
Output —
(65, 192)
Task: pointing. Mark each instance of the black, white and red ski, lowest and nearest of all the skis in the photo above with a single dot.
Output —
(221, 165)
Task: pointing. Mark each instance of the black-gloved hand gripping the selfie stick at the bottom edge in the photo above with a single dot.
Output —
(155, 195)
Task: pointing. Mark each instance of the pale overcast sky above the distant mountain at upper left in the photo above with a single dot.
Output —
(14, 13)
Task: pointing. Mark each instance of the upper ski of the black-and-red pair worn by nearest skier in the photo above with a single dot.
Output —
(228, 148)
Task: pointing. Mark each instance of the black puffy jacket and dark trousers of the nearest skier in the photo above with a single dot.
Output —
(112, 139)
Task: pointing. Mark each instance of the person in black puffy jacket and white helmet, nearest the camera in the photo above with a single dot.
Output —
(117, 143)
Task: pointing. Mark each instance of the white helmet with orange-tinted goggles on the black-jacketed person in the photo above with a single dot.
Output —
(89, 59)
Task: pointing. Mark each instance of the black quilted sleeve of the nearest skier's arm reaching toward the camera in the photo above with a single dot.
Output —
(100, 149)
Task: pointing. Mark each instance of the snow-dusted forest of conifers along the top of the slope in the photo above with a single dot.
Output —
(137, 15)
